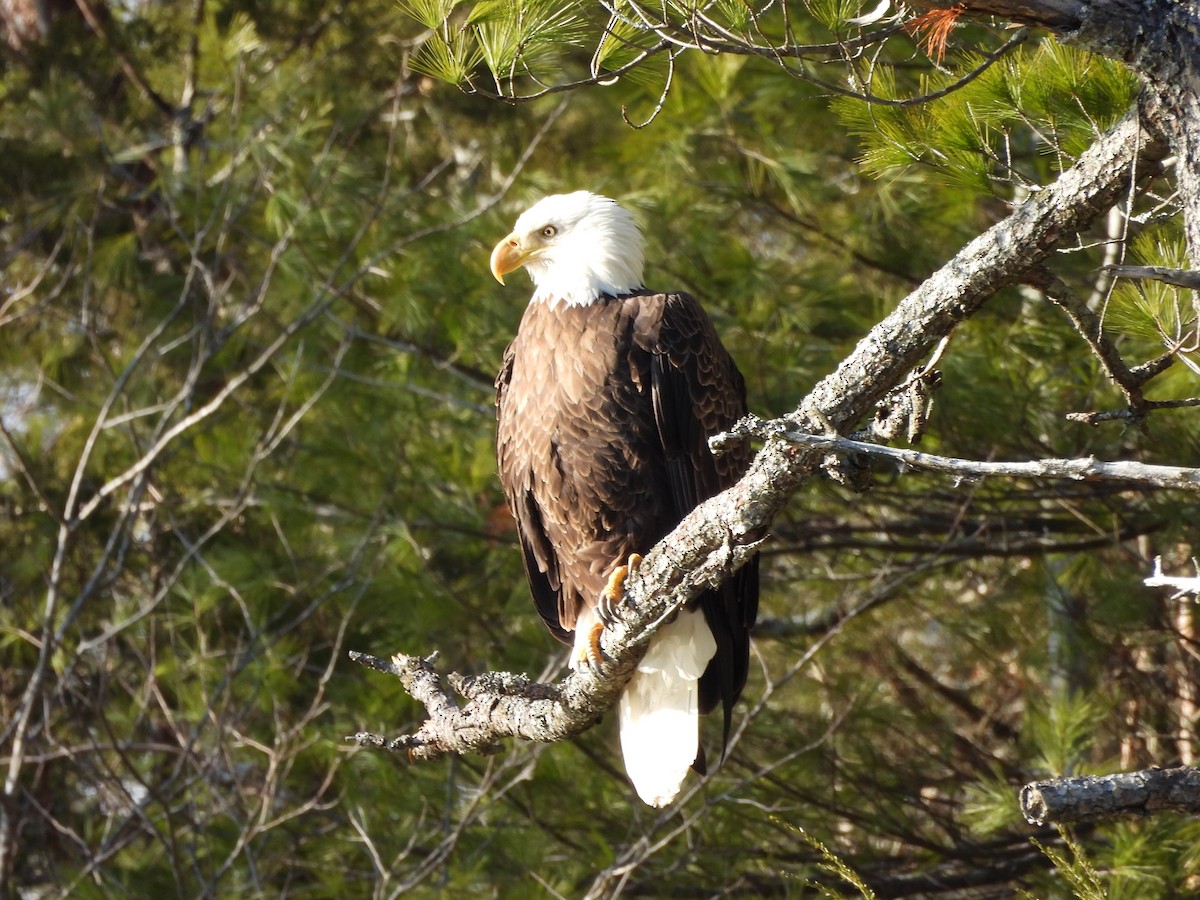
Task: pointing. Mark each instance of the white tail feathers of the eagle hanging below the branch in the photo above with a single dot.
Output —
(661, 709)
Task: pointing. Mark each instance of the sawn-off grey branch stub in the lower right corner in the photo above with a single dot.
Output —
(1093, 799)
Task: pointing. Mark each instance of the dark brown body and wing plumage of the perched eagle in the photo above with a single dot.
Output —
(604, 413)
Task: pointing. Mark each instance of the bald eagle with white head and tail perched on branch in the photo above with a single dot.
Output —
(605, 404)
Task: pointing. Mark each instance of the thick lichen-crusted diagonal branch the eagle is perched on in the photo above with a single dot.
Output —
(721, 535)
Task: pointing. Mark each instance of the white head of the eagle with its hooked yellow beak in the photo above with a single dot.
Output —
(577, 248)
